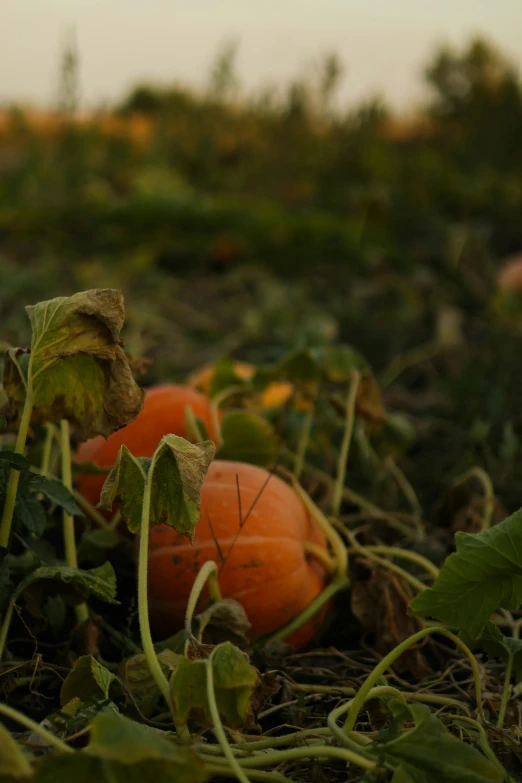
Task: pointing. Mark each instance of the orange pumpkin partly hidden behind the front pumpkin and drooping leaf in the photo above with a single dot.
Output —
(163, 414)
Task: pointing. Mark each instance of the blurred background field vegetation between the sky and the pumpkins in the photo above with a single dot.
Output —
(250, 224)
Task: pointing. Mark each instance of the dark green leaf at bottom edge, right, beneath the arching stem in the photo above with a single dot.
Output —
(429, 754)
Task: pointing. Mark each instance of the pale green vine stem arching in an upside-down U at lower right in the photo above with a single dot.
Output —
(389, 660)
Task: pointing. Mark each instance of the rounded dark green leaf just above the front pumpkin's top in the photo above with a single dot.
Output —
(248, 437)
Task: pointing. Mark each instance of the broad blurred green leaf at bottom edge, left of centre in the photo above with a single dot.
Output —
(123, 751)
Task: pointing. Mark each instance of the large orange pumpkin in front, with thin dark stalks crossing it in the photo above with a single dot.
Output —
(266, 566)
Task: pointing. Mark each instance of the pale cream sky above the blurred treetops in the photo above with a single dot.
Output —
(383, 43)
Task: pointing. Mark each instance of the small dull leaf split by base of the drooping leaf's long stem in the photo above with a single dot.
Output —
(135, 674)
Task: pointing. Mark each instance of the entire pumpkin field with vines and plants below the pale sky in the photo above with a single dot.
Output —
(261, 436)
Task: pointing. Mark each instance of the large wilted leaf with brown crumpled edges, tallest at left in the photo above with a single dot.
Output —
(77, 364)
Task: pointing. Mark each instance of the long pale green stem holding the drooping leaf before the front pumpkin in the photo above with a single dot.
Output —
(143, 605)
